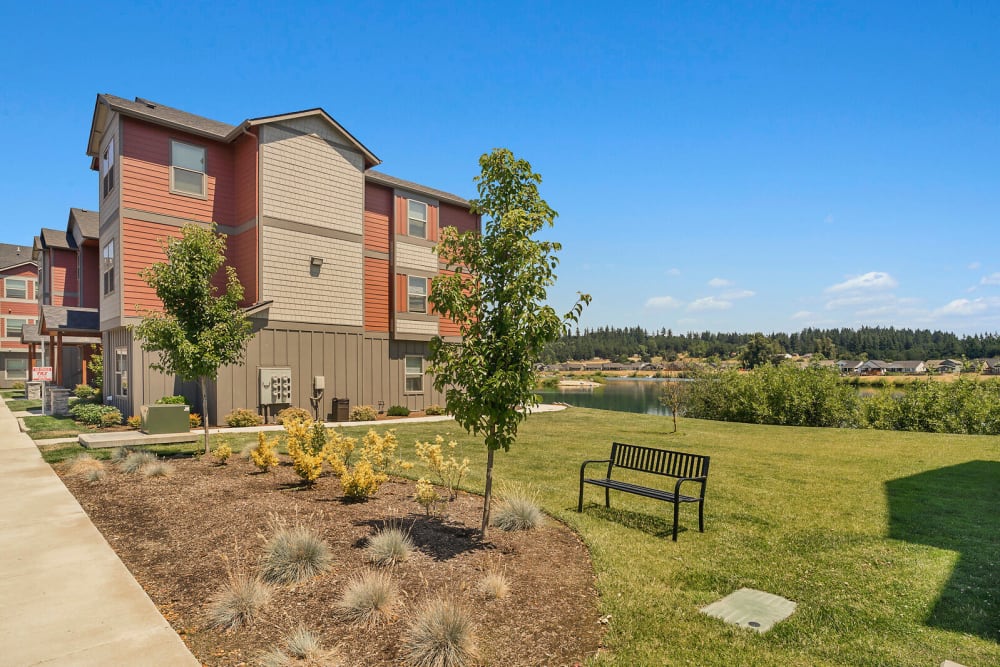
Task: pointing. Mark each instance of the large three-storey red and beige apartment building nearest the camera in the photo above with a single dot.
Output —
(335, 258)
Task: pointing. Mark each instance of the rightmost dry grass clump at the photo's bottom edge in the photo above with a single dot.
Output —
(441, 635)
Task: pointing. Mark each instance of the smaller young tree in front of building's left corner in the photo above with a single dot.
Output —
(201, 328)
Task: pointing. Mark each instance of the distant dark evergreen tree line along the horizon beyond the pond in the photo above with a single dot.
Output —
(885, 343)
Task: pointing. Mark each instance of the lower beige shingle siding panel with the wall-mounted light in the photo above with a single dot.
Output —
(332, 297)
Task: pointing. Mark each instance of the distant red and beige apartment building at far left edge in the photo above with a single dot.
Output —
(19, 278)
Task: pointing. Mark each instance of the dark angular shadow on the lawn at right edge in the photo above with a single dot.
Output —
(956, 508)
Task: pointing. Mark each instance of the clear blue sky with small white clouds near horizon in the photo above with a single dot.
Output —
(738, 167)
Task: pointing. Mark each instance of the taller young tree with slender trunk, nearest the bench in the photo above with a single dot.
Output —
(496, 297)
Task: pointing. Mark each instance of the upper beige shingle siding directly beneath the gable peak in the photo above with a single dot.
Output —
(307, 179)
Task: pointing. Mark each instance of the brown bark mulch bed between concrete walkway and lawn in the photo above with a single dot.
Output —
(180, 535)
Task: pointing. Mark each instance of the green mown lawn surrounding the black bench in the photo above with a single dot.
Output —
(886, 540)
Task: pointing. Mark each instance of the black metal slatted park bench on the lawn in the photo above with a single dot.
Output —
(677, 465)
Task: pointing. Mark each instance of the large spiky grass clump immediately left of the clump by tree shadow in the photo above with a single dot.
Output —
(293, 554)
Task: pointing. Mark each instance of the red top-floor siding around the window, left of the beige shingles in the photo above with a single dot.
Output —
(146, 175)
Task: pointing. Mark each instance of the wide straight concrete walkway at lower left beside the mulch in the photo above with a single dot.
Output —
(65, 597)
